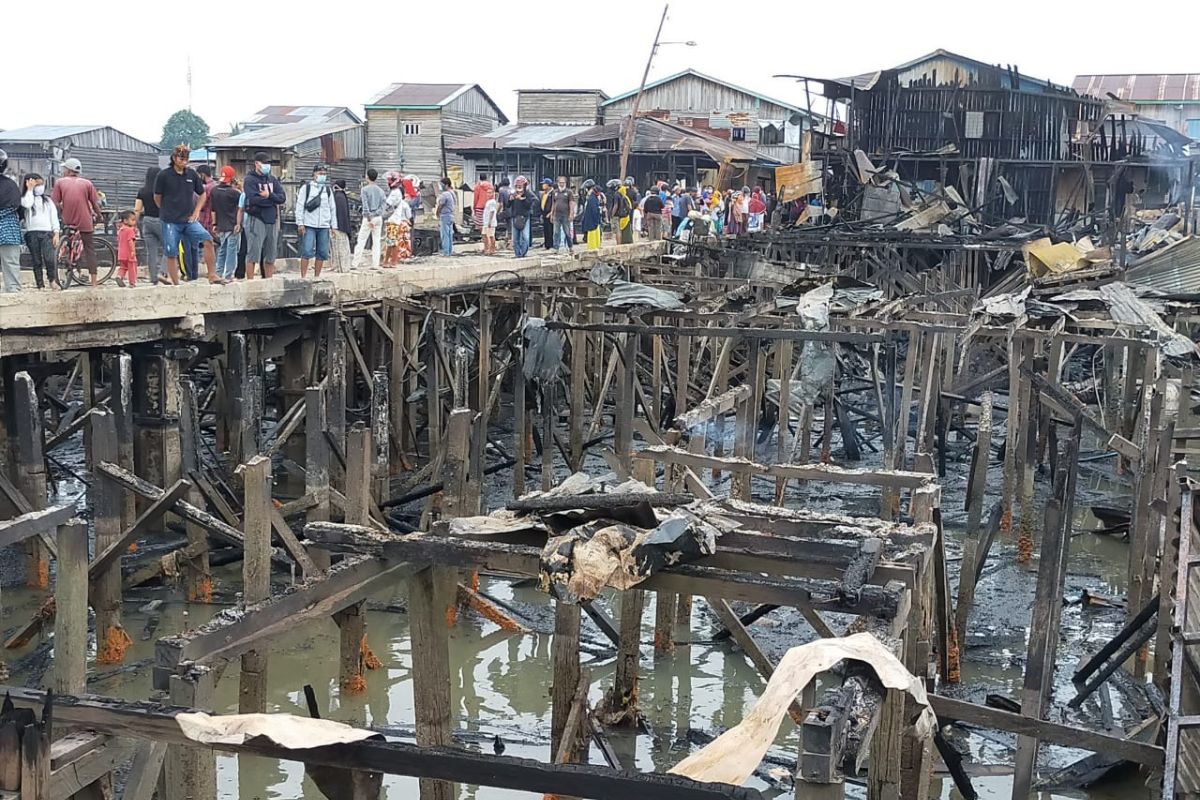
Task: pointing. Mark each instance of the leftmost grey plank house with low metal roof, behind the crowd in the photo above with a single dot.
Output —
(115, 161)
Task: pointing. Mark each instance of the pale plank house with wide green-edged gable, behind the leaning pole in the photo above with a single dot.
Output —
(722, 110)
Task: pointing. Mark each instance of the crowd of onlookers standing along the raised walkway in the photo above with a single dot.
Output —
(184, 216)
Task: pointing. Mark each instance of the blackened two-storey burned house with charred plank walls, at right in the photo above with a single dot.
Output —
(1012, 147)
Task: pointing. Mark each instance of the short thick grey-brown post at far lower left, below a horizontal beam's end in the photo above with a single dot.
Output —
(71, 610)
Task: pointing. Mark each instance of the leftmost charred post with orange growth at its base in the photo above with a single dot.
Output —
(112, 641)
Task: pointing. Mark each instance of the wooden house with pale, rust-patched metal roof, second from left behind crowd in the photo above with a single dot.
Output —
(296, 149)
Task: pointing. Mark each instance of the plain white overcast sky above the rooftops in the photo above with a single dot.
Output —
(139, 75)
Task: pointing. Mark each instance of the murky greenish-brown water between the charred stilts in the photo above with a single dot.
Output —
(501, 683)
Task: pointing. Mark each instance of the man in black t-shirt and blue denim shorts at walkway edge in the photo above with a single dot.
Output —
(179, 194)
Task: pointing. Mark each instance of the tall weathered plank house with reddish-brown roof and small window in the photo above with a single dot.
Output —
(410, 125)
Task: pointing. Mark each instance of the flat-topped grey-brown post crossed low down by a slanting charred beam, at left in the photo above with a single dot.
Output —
(256, 570)
